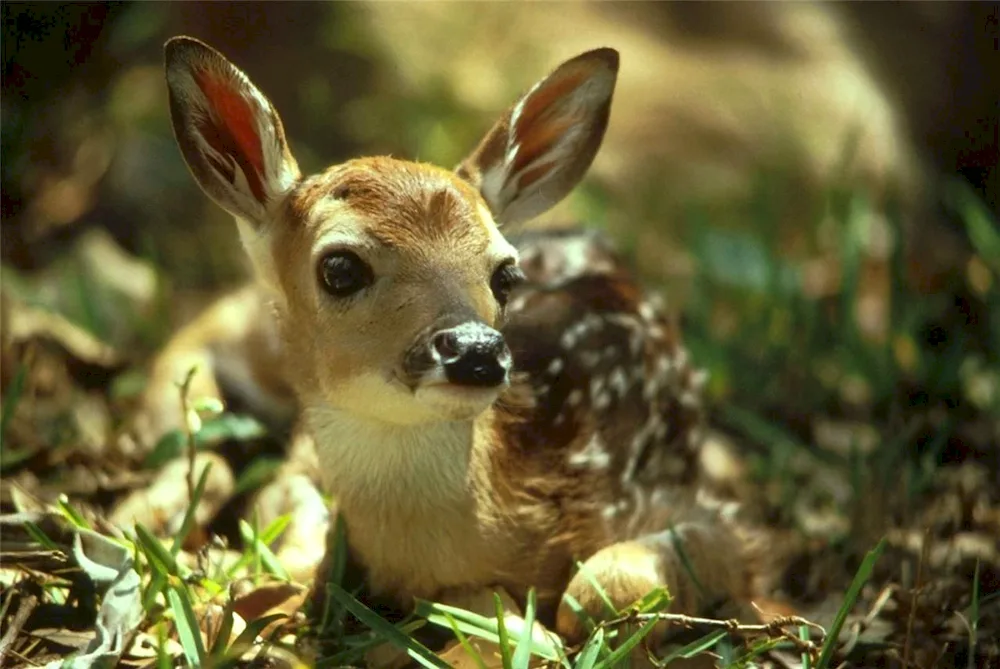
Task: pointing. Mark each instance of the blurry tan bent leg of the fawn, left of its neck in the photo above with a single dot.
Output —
(235, 347)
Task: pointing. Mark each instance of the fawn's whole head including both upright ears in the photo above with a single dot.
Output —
(390, 277)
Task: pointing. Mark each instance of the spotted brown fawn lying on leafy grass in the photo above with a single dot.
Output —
(486, 412)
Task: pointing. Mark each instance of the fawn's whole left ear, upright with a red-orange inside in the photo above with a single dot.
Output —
(229, 132)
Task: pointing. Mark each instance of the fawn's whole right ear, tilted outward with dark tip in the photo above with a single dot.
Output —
(541, 148)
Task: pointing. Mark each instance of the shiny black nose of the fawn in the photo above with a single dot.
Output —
(472, 354)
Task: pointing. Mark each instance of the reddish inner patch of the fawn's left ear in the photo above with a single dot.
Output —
(235, 131)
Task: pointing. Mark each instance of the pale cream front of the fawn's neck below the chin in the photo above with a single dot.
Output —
(419, 501)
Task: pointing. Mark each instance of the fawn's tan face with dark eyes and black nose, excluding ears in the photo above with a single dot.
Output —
(395, 279)
